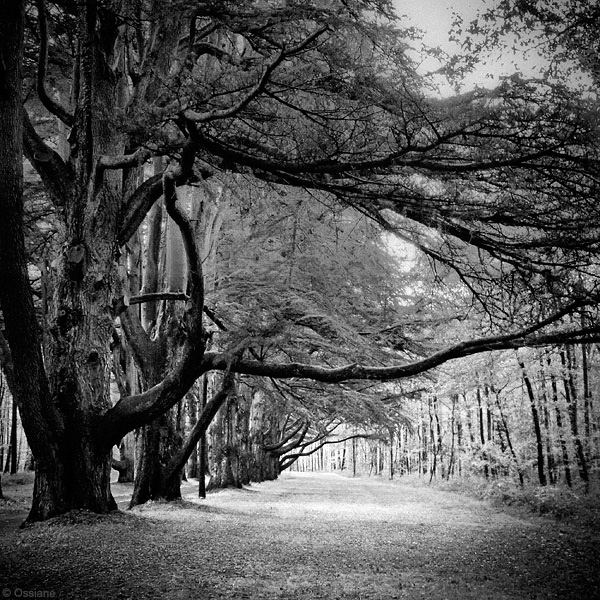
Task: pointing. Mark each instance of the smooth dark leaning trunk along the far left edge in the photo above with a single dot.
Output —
(15, 295)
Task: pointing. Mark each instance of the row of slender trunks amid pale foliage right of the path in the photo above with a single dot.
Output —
(538, 435)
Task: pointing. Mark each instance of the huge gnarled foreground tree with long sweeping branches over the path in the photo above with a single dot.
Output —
(325, 99)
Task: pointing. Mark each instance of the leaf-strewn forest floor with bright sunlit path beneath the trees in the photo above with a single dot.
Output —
(303, 537)
